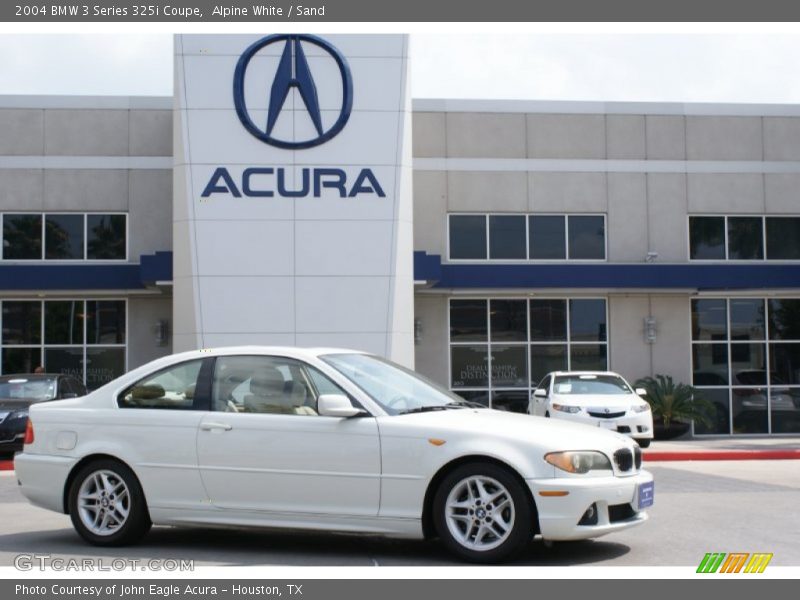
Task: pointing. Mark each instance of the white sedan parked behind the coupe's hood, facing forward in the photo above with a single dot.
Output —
(599, 398)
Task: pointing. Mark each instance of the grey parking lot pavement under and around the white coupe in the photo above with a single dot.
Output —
(730, 506)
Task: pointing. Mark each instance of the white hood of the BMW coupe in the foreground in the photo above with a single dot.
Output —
(520, 428)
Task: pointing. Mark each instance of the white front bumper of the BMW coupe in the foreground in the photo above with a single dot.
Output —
(615, 500)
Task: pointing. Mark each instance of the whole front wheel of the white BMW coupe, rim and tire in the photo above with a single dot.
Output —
(482, 513)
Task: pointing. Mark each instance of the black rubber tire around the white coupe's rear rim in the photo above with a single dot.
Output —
(133, 527)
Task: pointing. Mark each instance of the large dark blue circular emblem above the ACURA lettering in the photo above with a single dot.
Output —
(293, 73)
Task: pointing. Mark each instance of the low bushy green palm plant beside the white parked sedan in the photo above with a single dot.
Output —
(676, 402)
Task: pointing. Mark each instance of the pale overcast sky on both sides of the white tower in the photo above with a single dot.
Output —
(624, 67)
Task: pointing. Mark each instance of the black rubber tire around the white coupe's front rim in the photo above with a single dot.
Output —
(524, 514)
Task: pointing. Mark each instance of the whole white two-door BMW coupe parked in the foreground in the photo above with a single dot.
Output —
(322, 439)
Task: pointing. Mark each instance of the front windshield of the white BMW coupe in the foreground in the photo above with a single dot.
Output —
(396, 389)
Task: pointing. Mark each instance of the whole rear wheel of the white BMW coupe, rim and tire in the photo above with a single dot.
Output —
(106, 504)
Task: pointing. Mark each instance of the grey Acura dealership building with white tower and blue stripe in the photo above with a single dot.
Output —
(292, 193)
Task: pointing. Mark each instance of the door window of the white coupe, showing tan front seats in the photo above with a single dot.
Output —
(266, 385)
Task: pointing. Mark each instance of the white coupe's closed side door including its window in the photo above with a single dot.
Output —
(264, 447)
